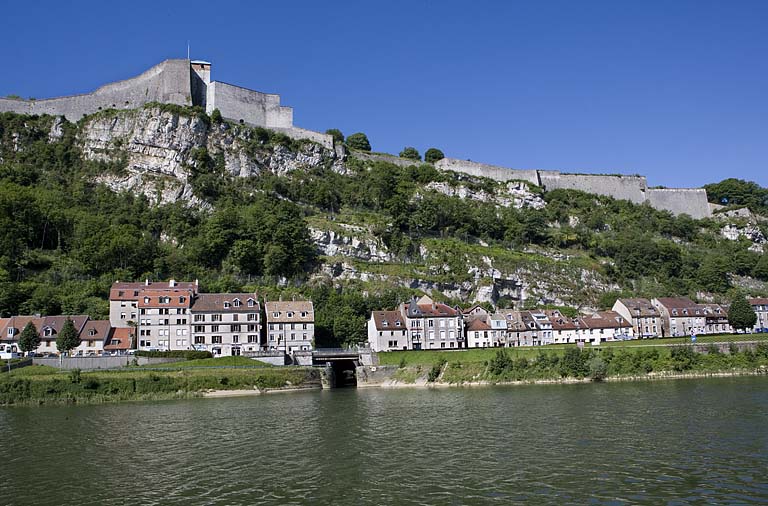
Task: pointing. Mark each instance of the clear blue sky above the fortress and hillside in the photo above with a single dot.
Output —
(676, 91)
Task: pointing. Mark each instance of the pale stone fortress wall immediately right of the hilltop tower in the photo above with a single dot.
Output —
(259, 109)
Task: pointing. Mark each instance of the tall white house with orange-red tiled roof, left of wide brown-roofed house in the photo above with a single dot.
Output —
(164, 318)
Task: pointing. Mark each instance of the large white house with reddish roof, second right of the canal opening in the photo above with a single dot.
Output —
(433, 325)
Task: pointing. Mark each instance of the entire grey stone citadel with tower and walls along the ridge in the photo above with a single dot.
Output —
(188, 83)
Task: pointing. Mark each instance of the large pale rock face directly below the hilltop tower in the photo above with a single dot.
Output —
(158, 150)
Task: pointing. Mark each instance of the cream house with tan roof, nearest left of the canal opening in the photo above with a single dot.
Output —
(290, 325)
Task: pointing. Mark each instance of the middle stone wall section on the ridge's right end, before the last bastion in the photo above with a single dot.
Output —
(630, 188)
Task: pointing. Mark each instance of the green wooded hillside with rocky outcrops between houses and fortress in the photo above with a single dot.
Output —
(255, 210)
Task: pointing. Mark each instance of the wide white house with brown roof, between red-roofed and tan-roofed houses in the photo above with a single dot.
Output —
(226, 323)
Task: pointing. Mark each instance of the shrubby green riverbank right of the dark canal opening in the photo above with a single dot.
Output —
(506, 365)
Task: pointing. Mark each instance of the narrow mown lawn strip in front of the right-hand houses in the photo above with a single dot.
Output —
(479, 355)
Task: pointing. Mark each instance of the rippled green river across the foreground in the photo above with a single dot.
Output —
(674, 442)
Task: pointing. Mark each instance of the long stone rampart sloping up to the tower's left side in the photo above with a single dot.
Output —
(167, 82)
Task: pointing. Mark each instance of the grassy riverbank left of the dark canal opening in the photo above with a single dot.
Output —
(46, 385)
